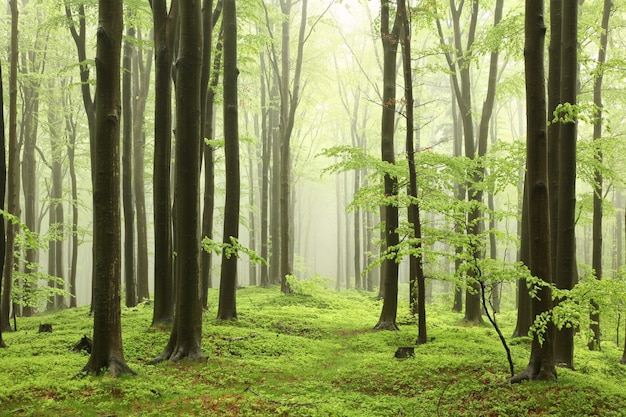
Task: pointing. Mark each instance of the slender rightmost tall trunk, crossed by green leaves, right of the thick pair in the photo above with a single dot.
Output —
(596, 262)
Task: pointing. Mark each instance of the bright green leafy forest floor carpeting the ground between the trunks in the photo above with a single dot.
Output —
(309, 354)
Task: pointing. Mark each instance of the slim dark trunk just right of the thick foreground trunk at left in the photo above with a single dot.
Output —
(127, 173)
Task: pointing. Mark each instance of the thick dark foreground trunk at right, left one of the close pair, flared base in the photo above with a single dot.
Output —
(541, 363)
